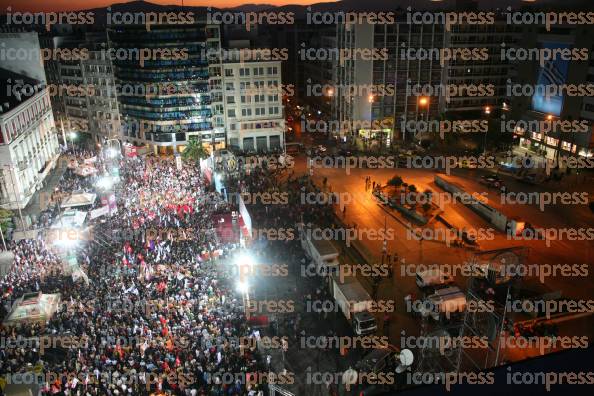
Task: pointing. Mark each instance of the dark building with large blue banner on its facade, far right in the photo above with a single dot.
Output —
(528, 110)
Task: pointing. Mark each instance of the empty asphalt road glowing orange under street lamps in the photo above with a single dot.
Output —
(364, 211)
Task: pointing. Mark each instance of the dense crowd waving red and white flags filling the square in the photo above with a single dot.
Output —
(158, 314)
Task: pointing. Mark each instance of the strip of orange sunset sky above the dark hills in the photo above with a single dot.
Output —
(64, 5)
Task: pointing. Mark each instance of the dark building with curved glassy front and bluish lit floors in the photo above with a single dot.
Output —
(164, 100)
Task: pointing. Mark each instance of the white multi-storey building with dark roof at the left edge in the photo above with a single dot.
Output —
(29, 146)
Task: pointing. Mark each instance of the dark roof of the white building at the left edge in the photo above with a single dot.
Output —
(15, 89)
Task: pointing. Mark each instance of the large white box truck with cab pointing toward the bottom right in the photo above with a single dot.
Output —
(354, 302)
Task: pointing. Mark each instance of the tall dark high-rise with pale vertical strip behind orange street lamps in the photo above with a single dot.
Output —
(377, 92)
